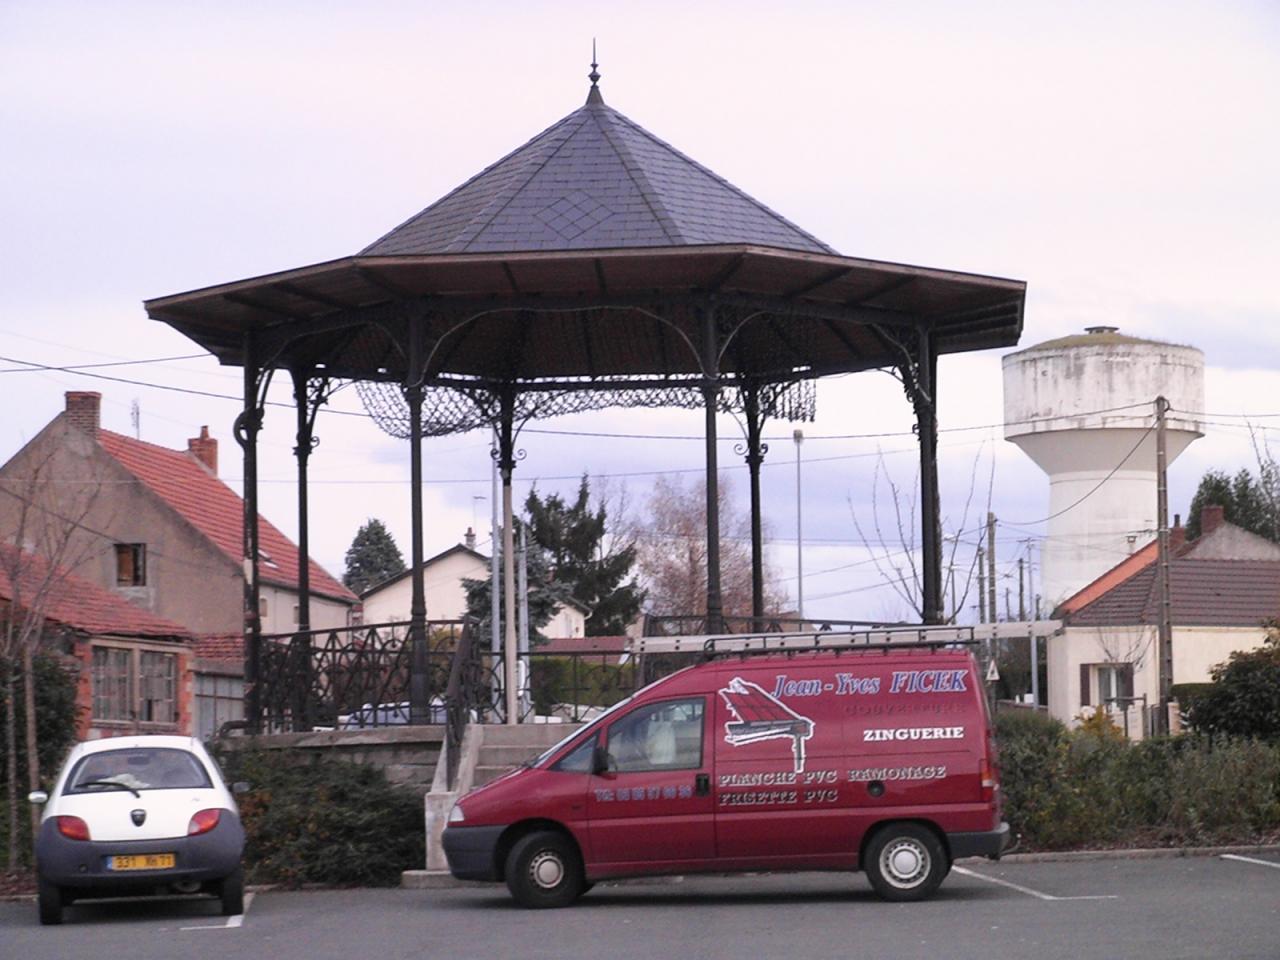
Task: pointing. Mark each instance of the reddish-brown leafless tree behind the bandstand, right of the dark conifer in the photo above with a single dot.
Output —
(673, 552)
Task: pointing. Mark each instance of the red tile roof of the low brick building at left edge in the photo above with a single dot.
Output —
(77, 604)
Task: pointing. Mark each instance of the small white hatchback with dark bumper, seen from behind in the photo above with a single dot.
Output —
(139, 815)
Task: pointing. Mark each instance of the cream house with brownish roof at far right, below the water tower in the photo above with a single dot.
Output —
(1223, 588)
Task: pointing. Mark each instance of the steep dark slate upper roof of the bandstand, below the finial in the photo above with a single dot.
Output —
(593, 181)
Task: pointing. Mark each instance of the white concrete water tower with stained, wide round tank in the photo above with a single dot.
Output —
(1081, 408)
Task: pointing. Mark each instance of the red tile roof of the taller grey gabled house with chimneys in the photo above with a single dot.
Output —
(216, 511)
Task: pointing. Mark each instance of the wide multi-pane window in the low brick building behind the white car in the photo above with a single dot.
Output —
(134, 685)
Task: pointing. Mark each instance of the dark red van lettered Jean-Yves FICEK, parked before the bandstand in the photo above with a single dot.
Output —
(880, 760)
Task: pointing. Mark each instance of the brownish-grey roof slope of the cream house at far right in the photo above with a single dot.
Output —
(1224, 593)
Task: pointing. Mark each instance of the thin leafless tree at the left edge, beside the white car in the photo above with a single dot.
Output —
(44, 538)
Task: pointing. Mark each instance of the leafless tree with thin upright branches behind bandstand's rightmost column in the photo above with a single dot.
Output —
(894, 546)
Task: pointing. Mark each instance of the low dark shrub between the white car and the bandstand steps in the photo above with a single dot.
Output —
(326, 822)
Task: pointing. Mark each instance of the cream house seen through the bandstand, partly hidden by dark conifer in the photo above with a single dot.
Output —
(447, 598)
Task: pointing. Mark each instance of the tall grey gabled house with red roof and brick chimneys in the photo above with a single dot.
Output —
(157, 527)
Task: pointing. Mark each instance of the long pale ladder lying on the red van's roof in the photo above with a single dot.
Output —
(875, 639)
